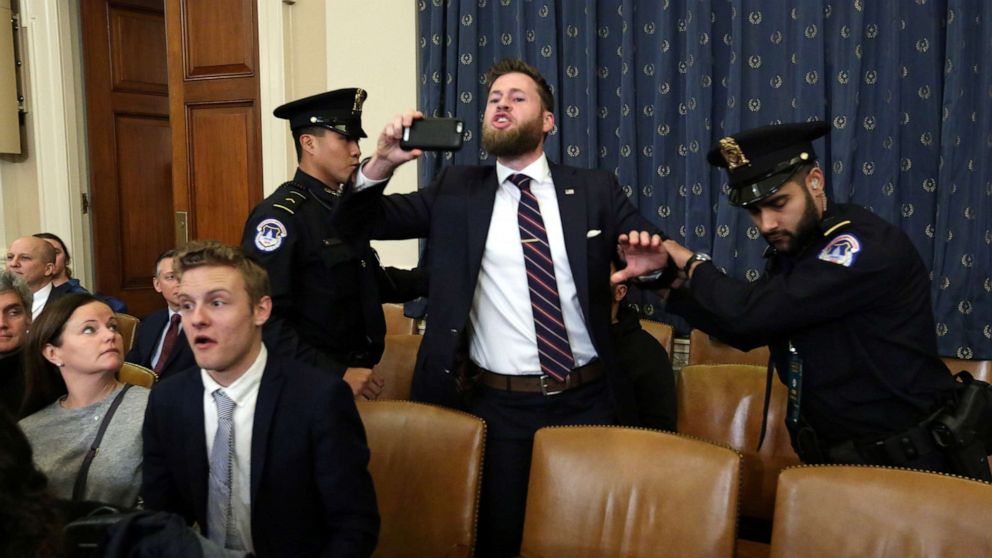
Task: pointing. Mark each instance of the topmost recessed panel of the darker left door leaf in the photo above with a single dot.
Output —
(133, 31)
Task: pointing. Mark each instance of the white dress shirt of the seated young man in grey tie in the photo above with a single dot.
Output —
(244, 392)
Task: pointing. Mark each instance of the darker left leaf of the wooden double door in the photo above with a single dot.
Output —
(124, 53)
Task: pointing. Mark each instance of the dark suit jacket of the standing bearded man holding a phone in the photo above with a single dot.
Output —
(454, 212)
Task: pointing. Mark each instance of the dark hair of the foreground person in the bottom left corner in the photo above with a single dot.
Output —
(29, 521)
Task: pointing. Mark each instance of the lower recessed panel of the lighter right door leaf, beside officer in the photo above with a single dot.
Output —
(221, 146)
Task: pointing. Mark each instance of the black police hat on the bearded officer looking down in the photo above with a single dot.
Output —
(760, 160)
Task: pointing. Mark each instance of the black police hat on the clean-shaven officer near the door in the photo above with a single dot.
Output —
(339, 110)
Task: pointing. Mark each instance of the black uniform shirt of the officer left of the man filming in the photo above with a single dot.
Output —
(326, 288)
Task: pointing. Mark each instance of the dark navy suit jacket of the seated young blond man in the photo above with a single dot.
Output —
(311, 492)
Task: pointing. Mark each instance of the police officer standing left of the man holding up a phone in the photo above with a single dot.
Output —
(328, 291)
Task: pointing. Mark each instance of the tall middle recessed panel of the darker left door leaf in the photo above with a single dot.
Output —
(144, 165)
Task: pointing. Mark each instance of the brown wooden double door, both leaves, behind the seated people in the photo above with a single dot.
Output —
(174, 131)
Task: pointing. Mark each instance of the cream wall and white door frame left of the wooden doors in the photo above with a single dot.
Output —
(41, 189)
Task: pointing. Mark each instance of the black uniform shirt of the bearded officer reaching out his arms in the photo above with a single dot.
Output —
(856, 305)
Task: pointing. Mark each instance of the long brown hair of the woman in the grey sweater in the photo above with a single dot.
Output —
(43, 382)
